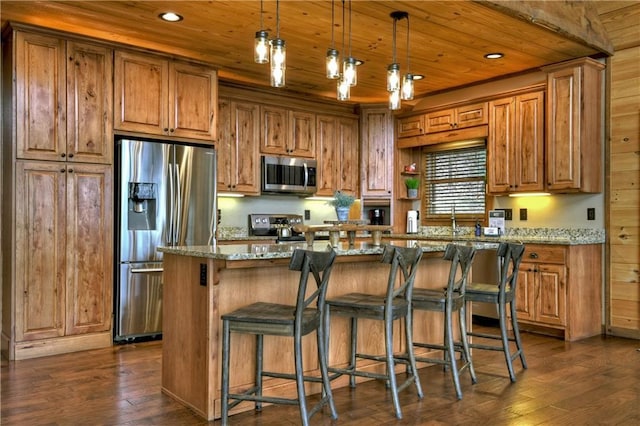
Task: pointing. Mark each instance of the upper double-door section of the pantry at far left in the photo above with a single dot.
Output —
(63, 100)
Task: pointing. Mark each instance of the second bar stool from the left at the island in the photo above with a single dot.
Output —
(389, 307)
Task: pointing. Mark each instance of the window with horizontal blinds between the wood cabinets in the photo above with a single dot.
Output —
(455, 180)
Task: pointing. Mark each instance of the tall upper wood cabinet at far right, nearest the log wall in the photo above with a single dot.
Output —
(574, 123)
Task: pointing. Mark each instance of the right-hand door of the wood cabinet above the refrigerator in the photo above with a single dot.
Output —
(192, 101)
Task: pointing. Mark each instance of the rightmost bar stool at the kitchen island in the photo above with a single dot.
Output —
(501, 294)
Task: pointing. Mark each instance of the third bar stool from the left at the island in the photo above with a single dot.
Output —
(448, 301)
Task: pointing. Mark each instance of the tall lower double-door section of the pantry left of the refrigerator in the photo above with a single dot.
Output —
(62, 260)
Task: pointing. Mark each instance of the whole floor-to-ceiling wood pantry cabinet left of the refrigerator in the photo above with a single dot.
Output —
(57, 194)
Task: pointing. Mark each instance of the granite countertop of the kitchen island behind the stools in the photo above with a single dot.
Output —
(278, 251)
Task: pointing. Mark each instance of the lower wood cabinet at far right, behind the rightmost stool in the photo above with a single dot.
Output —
(559, 287)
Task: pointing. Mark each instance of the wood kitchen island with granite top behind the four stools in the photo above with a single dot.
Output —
(202, 283)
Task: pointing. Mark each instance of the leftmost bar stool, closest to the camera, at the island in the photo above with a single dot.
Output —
(284, 320)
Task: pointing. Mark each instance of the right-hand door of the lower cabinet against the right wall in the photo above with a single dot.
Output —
(551, 294)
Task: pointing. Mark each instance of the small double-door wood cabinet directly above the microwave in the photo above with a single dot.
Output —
(287, 132)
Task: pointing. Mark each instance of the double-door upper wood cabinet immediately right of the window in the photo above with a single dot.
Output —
(515, 160)
